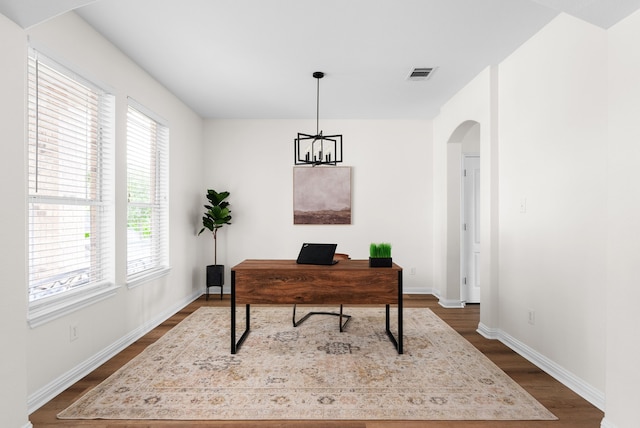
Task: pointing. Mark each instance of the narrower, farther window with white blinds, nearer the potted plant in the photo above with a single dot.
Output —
(147, 173)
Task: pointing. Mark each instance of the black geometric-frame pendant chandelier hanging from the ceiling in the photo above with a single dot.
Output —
(317, 149)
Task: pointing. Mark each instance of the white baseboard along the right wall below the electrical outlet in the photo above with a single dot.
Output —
(568, 379)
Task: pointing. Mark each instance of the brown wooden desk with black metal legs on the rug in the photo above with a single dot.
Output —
(349, 282)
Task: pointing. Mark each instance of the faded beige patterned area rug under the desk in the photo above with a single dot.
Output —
(309, 372)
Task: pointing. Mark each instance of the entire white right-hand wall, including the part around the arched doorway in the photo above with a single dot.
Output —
(543, 131)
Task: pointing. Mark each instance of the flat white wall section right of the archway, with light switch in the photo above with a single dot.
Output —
(553, 130)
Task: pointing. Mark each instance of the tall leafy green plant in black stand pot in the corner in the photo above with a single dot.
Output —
(217, 214)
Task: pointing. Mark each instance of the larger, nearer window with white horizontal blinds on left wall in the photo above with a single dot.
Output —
(69, 185)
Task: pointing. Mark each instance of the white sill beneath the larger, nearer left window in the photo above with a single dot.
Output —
(47, 309)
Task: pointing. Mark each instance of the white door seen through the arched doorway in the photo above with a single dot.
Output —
(470, 251)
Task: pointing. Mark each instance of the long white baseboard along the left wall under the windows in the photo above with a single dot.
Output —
(55, 387)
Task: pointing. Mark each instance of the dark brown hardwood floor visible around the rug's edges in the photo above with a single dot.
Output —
(571, 409)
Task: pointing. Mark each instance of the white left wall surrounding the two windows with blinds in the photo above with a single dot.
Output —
(44, 355)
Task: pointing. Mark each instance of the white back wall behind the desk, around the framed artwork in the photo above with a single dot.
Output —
(392, 191)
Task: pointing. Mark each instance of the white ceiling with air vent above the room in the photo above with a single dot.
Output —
(255, 58)
